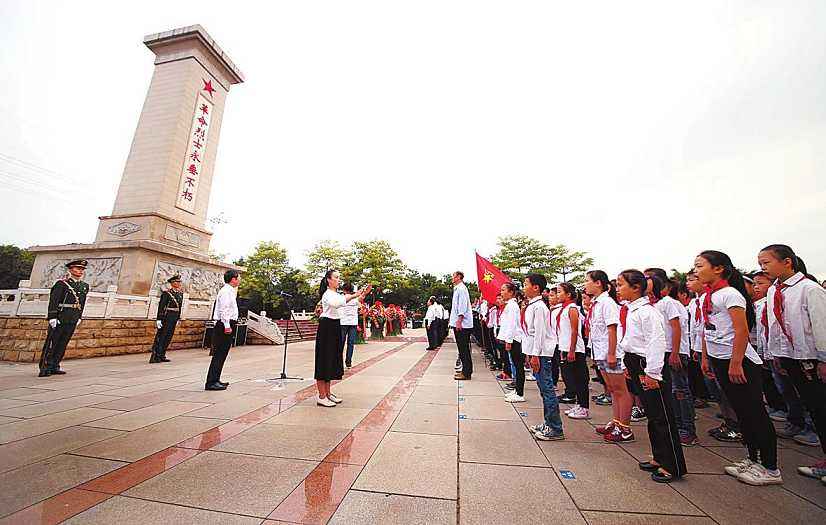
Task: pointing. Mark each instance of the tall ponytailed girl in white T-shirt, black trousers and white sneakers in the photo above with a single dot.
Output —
(728, 315)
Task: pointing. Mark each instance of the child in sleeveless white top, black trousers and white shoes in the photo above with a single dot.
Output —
(568, 324)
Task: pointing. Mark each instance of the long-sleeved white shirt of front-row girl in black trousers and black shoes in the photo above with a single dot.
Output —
(644, 336)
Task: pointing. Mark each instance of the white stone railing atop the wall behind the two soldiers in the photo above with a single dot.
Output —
(34, 302)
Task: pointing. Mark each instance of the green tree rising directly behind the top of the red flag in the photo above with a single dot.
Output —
(520, 255)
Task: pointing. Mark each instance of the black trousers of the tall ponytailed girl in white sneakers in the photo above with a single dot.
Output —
(747, 402)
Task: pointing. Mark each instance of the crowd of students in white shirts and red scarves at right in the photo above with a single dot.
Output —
(755, 344)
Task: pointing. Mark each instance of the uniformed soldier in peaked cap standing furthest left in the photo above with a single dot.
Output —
(66, 302)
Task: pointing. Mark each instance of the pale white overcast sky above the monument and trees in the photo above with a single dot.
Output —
(639, 132)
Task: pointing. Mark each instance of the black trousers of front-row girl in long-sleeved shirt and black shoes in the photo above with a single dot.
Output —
(662, 427)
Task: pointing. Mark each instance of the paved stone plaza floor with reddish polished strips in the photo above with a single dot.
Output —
(118, 440)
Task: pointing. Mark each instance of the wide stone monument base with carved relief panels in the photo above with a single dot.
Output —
(135, 267)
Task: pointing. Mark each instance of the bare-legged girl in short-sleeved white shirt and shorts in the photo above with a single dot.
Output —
(601, 327)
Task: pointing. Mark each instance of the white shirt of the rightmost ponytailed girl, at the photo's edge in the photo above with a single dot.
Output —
(804, 316)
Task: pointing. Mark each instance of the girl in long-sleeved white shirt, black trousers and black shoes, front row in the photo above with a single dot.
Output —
(642, 340)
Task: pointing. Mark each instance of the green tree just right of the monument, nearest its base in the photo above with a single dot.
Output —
(266, 268)
